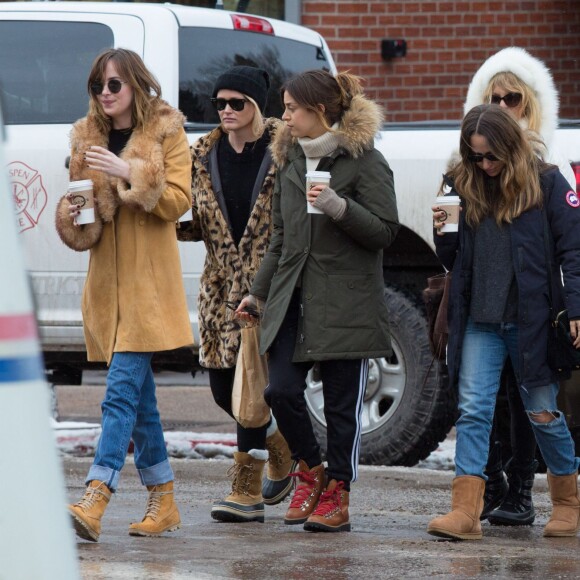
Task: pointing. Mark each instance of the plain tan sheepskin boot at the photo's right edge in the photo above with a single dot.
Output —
(565, 519)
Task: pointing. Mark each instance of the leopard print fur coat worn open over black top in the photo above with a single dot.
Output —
(228, 270)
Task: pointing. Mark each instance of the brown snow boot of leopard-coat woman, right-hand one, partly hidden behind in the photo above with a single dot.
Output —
(277, 483)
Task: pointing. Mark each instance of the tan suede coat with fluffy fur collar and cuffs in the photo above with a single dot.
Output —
(133, 300)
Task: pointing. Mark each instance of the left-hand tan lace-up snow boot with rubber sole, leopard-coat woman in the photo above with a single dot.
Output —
(245, 502)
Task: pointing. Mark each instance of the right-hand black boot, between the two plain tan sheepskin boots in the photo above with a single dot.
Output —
(517, 509)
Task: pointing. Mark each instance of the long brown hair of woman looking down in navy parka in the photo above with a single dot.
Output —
(519, 180)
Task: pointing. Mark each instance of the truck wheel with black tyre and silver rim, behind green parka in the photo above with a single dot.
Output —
(408, 407)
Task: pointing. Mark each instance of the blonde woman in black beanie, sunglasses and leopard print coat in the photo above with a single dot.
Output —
(233, 182)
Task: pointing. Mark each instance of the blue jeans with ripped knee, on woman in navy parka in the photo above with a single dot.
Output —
(485, 348)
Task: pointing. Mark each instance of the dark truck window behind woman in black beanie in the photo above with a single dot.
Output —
(204, 53)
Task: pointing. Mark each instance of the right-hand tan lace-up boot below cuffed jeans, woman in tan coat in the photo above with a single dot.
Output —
(161, 514)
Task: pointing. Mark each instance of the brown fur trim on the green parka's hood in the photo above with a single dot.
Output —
(356, 131)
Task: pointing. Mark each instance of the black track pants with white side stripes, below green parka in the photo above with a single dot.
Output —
(343, 388)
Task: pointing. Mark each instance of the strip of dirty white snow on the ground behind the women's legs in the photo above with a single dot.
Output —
(80, 439)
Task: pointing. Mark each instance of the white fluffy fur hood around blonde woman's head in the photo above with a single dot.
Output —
(530, 70)
